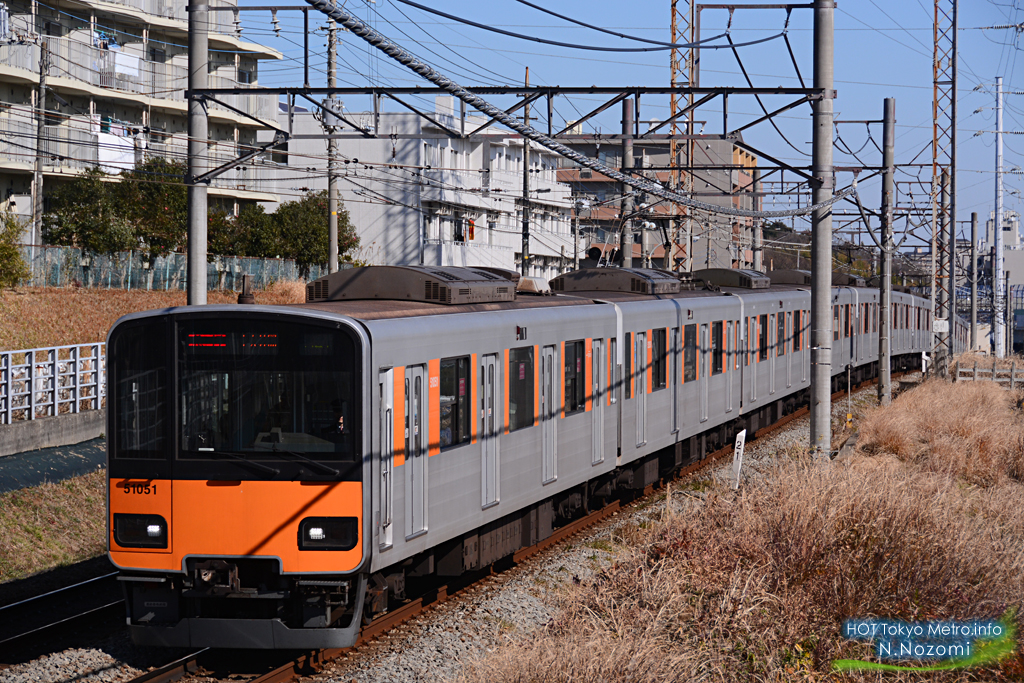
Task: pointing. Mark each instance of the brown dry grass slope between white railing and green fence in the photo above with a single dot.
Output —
(51, 317)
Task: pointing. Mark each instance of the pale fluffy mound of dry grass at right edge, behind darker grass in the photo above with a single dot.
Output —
(968, 430)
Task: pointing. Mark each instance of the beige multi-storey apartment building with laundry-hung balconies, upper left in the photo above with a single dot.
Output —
(116, 73)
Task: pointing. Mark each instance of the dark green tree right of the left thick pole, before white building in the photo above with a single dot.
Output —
(304, 227)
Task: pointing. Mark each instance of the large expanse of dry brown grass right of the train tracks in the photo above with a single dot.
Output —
(926, 522)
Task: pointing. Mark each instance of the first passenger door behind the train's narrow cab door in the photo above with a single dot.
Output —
(416, 451)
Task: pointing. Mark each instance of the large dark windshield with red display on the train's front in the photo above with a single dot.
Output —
(267, 390)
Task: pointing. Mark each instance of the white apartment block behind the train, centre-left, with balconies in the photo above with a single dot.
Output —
(416, 196)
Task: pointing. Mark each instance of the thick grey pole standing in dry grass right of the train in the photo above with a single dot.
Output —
(822, 163)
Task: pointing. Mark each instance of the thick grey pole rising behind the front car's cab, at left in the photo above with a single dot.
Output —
(199, 55)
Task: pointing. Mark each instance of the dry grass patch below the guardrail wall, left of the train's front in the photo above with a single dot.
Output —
(52, 526)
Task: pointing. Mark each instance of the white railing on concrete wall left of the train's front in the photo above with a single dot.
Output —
(47, 382)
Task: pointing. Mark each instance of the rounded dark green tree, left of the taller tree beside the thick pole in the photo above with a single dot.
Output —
(86, 215)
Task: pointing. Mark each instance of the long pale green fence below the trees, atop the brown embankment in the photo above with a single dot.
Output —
(61, 267)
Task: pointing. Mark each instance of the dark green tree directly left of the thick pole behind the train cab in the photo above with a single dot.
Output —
(156, 203)
